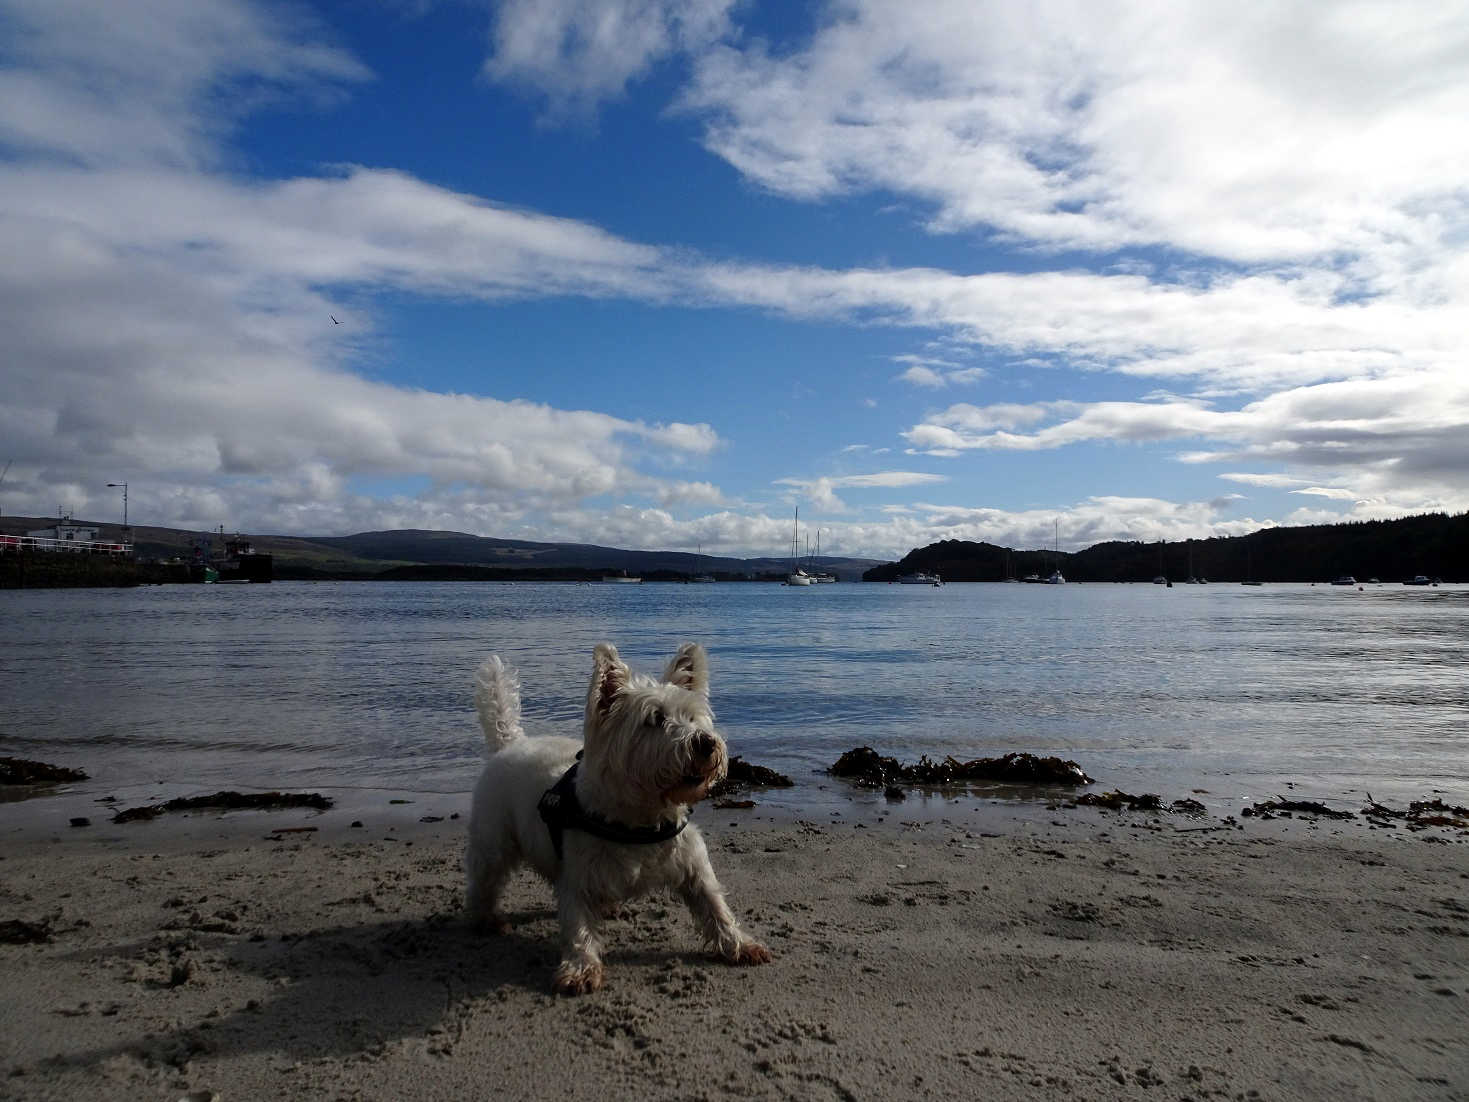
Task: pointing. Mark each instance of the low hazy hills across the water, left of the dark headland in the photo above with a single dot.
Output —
(427, 555)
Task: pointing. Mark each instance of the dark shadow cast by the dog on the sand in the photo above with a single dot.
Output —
(359, 988)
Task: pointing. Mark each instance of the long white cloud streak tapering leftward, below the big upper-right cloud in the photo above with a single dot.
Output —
(1224, 331)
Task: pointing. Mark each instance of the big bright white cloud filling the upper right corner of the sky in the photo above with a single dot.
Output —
(1292, 130)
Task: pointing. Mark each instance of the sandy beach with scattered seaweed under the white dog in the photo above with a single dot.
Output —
(988, 953)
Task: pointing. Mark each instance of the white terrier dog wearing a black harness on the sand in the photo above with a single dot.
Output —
(606, 819)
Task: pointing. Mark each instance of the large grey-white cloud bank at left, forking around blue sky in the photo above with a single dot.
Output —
(205, 346)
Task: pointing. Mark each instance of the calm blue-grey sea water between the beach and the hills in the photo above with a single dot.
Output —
(367, 687)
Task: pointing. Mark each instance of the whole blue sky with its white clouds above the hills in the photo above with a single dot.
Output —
(656, 274)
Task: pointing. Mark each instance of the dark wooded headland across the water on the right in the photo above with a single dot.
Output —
(1433, 544)
